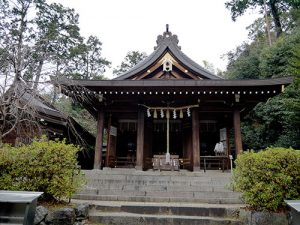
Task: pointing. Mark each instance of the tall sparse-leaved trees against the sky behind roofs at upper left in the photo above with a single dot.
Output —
(42, 39)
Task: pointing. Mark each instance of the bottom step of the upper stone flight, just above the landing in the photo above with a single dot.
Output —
(179, 198)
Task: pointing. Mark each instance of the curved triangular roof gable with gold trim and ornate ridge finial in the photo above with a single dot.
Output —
(167, 62)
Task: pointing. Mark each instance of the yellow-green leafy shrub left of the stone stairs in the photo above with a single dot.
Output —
(47, 166)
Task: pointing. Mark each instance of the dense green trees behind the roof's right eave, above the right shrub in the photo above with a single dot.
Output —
(276, 122)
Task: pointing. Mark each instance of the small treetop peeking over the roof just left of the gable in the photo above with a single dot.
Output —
(131, 59)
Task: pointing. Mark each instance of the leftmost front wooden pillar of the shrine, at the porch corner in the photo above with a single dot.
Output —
(99, 140)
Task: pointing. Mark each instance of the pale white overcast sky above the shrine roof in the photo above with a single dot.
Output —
(204, 27)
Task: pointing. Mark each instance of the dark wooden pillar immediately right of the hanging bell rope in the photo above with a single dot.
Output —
(196, 140)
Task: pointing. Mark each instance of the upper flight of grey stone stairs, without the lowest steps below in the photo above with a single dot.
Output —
(154, 186)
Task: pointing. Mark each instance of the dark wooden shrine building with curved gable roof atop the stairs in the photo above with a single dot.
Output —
(168, 108)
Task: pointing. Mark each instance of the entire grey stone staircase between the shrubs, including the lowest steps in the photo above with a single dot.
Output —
(127, 196)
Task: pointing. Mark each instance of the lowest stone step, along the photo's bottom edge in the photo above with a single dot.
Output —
(120, 218)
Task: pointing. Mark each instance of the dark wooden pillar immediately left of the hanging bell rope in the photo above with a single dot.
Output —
(140, 140)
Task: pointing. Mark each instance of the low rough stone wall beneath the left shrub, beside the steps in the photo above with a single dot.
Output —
(63, 216)
